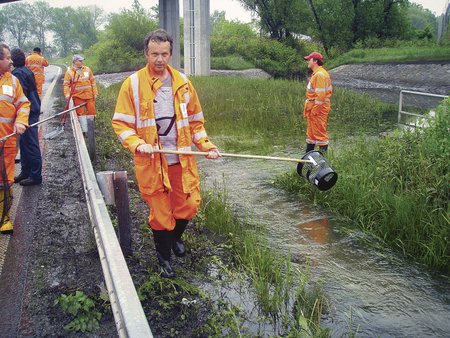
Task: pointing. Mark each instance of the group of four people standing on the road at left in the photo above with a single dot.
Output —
(21, 81)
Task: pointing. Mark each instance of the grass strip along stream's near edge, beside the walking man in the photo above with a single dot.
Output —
(283, 293)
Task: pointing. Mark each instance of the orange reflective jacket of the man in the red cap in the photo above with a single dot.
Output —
(318, 93)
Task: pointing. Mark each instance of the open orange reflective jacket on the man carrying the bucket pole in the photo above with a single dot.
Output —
(134, 123)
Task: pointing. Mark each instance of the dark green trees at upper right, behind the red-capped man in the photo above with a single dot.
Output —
(340, 25)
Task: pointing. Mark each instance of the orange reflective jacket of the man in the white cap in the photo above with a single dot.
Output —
(83, 82)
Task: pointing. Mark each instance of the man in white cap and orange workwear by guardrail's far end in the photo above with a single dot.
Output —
(80, 85)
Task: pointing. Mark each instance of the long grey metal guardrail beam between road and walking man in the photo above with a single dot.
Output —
(127, 309)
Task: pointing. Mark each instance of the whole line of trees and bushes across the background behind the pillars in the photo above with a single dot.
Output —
(115, 40)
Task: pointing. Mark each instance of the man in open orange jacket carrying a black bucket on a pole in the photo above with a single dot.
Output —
(158, 107)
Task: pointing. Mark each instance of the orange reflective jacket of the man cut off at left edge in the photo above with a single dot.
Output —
(14, 106)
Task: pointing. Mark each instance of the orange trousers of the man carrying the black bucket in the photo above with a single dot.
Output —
(168, 206)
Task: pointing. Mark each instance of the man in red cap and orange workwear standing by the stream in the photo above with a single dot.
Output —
(317, 104)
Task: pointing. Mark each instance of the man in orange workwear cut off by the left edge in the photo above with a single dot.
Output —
(14, 110)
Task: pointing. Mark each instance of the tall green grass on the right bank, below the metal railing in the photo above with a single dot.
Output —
(396, 188)
